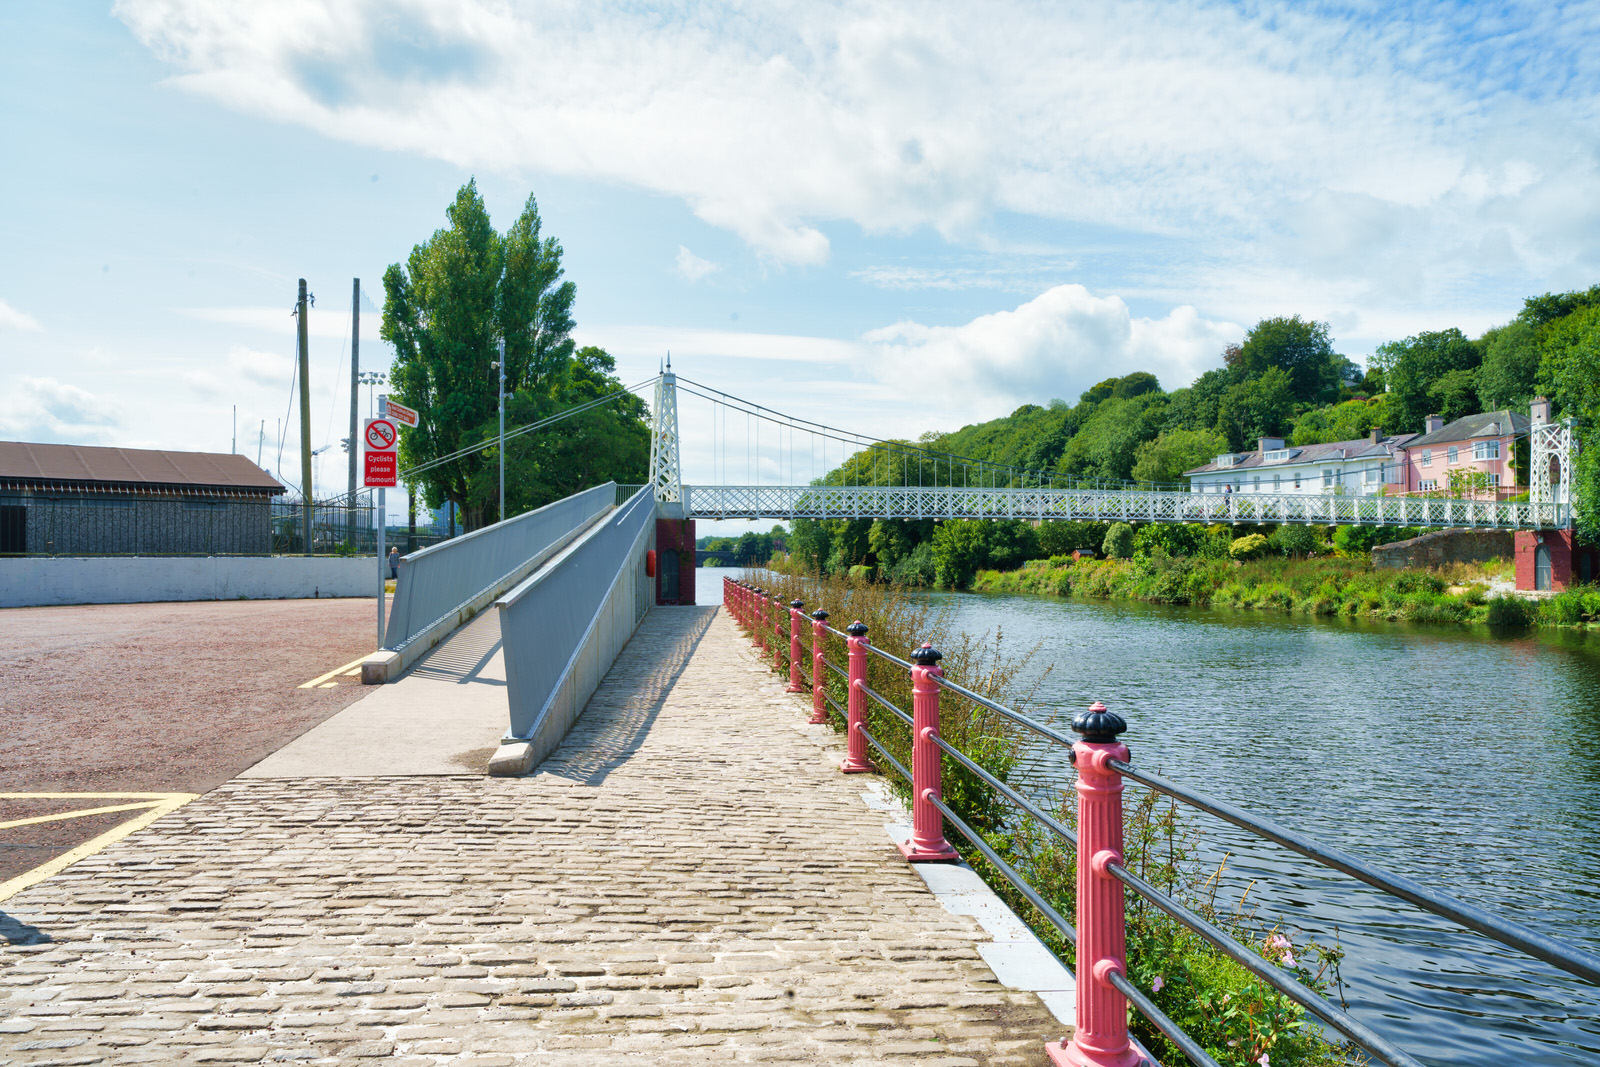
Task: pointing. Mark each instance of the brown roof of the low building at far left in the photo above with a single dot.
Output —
(92, 466)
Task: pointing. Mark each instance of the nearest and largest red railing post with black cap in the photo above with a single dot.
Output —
(1102, 1037)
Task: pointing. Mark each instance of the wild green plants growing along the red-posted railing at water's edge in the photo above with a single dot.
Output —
(1239, 1020)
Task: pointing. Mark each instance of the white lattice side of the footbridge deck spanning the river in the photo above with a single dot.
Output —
(1146, 506)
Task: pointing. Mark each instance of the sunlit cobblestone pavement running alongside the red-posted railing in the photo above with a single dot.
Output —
(689, 881)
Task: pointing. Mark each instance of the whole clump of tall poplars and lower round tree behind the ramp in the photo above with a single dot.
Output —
(460, 294)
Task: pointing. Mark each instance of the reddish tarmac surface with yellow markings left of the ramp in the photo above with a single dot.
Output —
(172, 698)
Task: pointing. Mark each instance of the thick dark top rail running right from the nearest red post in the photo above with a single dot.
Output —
(1471, 916)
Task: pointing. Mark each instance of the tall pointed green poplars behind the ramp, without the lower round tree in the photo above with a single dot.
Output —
(458, 295)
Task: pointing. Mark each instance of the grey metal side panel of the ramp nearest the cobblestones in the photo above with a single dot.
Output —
(564, 626)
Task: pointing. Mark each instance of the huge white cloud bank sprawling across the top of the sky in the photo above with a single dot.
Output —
(1399, 151)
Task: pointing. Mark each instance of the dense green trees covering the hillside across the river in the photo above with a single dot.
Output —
(1282, 380)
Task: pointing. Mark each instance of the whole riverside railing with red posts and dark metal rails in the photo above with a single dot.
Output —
(1103, 762)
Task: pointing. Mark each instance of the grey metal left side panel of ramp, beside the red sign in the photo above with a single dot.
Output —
(438, 581)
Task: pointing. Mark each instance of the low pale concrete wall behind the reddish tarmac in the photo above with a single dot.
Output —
(142, 580)
